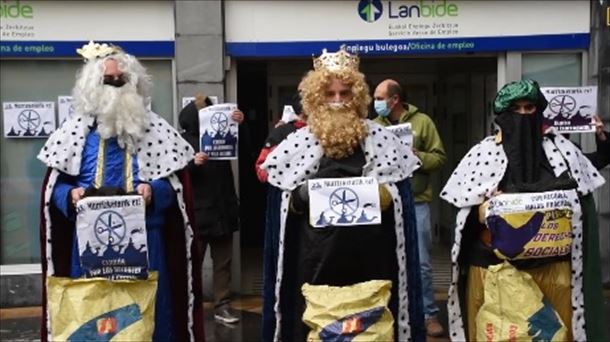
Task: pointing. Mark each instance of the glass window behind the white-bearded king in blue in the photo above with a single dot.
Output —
(21, 173)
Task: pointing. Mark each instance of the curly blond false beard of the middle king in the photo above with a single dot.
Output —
(338, 130)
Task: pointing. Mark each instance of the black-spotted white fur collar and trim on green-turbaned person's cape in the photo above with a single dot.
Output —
(477, 177)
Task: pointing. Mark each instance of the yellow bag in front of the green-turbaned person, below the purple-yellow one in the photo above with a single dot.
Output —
(514, 309)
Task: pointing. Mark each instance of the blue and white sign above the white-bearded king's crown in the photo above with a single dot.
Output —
(57, 28)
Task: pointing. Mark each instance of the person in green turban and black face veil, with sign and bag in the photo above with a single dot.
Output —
(526, 262)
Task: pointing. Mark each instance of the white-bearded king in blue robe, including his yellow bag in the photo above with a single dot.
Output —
(114, 145)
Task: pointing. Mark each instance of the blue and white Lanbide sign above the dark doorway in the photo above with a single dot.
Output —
(403, 27)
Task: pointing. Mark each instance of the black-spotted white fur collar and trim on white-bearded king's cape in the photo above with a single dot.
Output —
(161, 153)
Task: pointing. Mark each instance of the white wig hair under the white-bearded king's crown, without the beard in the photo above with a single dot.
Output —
(91, 76)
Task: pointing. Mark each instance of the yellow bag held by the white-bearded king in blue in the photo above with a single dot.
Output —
(97, 309)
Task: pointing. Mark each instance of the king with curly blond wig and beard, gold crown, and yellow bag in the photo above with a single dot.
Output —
(312, 273)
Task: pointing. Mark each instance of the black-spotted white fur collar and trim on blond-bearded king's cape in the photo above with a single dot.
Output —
(297, 158)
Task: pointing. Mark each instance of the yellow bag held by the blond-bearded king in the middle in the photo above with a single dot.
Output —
(358, 311)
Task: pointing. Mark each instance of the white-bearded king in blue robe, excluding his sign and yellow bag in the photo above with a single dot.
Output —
(115, 145)
